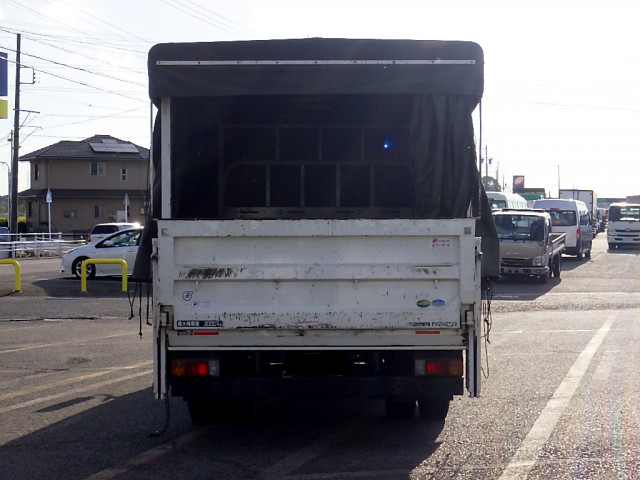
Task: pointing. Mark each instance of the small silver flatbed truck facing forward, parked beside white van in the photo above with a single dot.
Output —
(528, 245)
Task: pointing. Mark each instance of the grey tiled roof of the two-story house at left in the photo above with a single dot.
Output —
(66, 149)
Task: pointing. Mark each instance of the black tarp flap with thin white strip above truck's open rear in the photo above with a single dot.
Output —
(170, 80)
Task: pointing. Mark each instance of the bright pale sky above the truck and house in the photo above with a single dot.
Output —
(562, 77)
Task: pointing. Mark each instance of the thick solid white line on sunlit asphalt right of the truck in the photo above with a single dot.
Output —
(526, 456)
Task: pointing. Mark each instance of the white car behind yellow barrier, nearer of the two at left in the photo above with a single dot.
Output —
(120, 245)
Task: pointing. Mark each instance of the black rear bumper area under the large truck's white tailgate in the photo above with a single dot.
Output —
(323, 374)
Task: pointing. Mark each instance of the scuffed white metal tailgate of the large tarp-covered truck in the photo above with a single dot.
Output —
(326, 274)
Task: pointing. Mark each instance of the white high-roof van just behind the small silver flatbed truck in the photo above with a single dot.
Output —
(572, 218)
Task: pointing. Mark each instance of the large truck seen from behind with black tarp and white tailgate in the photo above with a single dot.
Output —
(318, 222)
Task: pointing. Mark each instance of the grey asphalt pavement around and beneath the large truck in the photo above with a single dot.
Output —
(559, 394)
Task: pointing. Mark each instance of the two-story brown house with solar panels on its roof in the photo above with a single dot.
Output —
(90, 181)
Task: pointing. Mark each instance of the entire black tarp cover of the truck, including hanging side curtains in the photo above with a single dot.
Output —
(445, 93)
